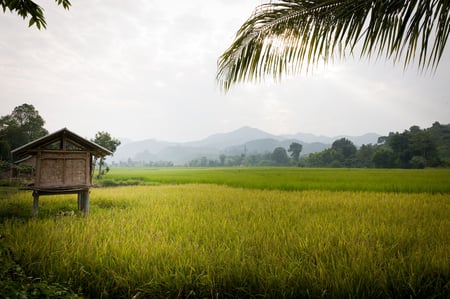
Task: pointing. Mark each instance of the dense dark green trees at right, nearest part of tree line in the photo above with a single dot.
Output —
(414, 148)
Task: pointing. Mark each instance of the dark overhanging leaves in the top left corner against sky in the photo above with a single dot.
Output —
(27, 7)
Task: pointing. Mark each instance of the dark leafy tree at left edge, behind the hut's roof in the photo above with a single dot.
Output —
(20, 127)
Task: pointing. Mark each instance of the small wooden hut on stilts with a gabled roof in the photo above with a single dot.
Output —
(63, 163)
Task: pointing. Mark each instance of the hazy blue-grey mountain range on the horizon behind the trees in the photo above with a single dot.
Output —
(244, 140)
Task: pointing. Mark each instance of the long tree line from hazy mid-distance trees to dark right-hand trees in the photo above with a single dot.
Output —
(413, 148)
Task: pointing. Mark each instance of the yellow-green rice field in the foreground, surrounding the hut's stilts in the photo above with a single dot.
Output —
(199, 240)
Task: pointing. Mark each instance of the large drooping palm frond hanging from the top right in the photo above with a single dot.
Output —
(287, 36)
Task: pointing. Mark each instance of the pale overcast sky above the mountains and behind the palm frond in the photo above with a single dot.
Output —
(146, 69)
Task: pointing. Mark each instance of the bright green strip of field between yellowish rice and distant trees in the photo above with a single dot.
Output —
(380, 180)
